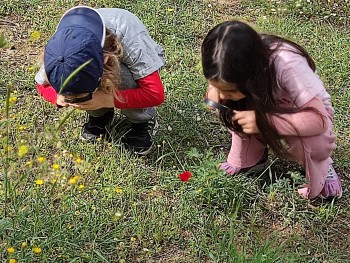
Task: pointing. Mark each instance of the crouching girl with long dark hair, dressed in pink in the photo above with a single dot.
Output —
(277, 100)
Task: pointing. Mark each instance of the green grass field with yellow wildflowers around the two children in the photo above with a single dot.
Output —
(63, 200)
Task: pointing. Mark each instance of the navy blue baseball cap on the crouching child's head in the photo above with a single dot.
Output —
(79, 37)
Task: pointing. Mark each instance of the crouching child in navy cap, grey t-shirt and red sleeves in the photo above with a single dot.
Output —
(123, 72)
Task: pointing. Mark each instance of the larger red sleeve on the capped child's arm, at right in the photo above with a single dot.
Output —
(150, 92)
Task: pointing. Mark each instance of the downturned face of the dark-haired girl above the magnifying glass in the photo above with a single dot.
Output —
(227, 91)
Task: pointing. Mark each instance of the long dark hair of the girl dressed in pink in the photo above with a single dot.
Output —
(234, 52)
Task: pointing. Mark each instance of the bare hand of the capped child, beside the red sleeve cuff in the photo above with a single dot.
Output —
(99, 100)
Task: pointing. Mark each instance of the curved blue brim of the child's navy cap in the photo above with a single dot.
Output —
(87, 17)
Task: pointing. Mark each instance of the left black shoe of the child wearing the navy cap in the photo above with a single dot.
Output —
(95, 128)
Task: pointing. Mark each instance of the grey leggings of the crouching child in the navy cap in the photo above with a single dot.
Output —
(133, 115)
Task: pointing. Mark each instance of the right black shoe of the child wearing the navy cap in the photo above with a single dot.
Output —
(138, 140)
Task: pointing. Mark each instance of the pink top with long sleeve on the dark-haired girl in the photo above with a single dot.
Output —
(299, 87)
